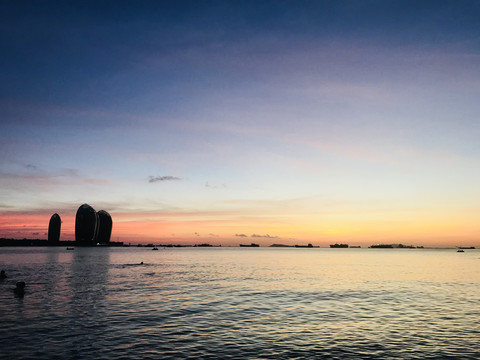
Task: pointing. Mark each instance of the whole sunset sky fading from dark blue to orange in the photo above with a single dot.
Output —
(232, 122)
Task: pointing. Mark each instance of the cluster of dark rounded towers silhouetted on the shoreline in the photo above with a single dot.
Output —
(91, 227)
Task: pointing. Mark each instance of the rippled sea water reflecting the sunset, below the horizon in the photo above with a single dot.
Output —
(242, 303)
